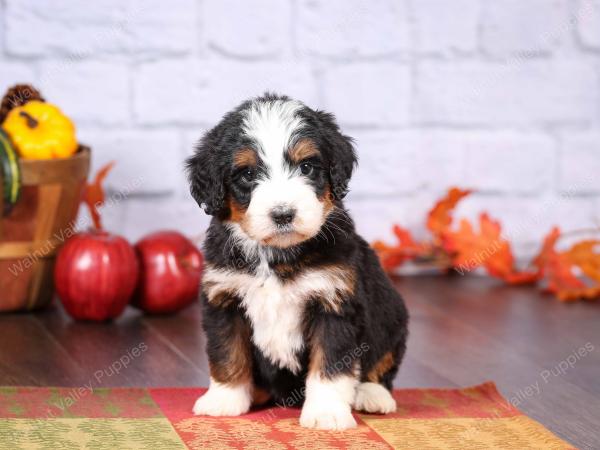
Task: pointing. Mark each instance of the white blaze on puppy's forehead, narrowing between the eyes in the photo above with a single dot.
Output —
(272, 125)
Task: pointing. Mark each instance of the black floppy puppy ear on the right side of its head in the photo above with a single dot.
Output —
(342, 155)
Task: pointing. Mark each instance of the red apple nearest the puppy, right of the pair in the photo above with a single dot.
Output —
(171, 271)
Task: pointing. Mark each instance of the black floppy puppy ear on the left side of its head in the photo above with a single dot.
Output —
(206, 178)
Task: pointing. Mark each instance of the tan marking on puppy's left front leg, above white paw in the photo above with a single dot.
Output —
(237, 367)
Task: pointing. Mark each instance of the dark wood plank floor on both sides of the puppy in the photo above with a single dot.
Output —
(464, 330)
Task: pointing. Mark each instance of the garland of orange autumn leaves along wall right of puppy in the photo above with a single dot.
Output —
(468, 248)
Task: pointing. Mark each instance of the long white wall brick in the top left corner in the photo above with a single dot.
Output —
(108, 26)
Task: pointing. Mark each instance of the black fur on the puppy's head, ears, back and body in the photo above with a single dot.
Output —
(371, 323)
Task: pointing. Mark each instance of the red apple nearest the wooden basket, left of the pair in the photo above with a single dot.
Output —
(95, 275)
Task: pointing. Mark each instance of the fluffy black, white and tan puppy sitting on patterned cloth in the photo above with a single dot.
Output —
(296, 306)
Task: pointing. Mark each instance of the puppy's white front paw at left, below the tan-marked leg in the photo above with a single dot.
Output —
(222, 400)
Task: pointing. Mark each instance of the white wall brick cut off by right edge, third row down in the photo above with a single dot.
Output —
(580, 163)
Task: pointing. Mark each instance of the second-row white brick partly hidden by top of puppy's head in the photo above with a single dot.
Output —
(209, 90)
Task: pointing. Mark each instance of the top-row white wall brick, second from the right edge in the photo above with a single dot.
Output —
(530, 27)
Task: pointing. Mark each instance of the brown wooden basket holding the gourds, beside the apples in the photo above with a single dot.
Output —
(43, 218)
